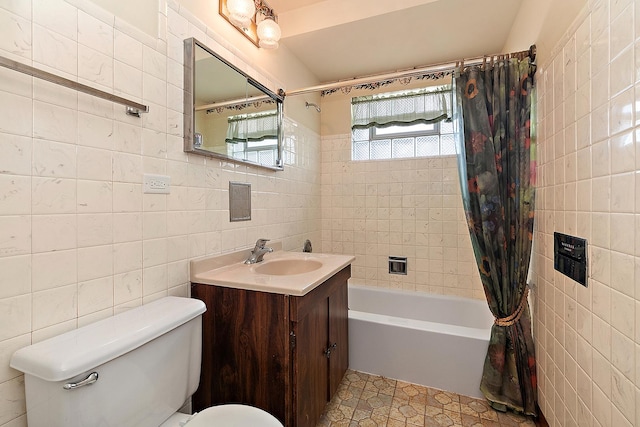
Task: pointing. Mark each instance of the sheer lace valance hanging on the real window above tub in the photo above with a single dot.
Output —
(400, 109)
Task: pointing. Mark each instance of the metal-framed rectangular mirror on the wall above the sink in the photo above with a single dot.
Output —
(228, 114)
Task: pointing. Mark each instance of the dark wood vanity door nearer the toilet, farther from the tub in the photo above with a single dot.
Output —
(310, 365)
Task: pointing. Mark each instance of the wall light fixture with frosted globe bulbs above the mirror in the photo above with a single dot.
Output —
(254, 19)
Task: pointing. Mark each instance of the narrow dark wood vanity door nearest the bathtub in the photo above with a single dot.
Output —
(338, 336)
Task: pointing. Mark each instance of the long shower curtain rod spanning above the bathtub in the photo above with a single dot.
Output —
(442, 67)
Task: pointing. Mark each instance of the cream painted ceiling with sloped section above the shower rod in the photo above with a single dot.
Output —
(342, 39)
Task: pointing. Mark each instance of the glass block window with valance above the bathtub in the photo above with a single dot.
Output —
(402, 125)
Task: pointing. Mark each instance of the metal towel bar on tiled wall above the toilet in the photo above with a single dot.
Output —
(133, 108)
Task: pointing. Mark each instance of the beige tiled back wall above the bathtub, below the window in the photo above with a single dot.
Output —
(411, 208)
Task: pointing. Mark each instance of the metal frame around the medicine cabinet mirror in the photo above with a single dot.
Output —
(189, 106)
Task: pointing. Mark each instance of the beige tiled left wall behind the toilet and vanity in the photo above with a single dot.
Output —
(79, 240)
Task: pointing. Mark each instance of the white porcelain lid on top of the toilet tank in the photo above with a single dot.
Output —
(72, 353)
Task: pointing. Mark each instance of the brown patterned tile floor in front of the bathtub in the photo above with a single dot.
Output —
(369, 400)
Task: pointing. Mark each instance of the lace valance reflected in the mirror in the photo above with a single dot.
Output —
(252, 127)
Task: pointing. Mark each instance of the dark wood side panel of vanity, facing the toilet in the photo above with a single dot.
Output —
(245, 350)
